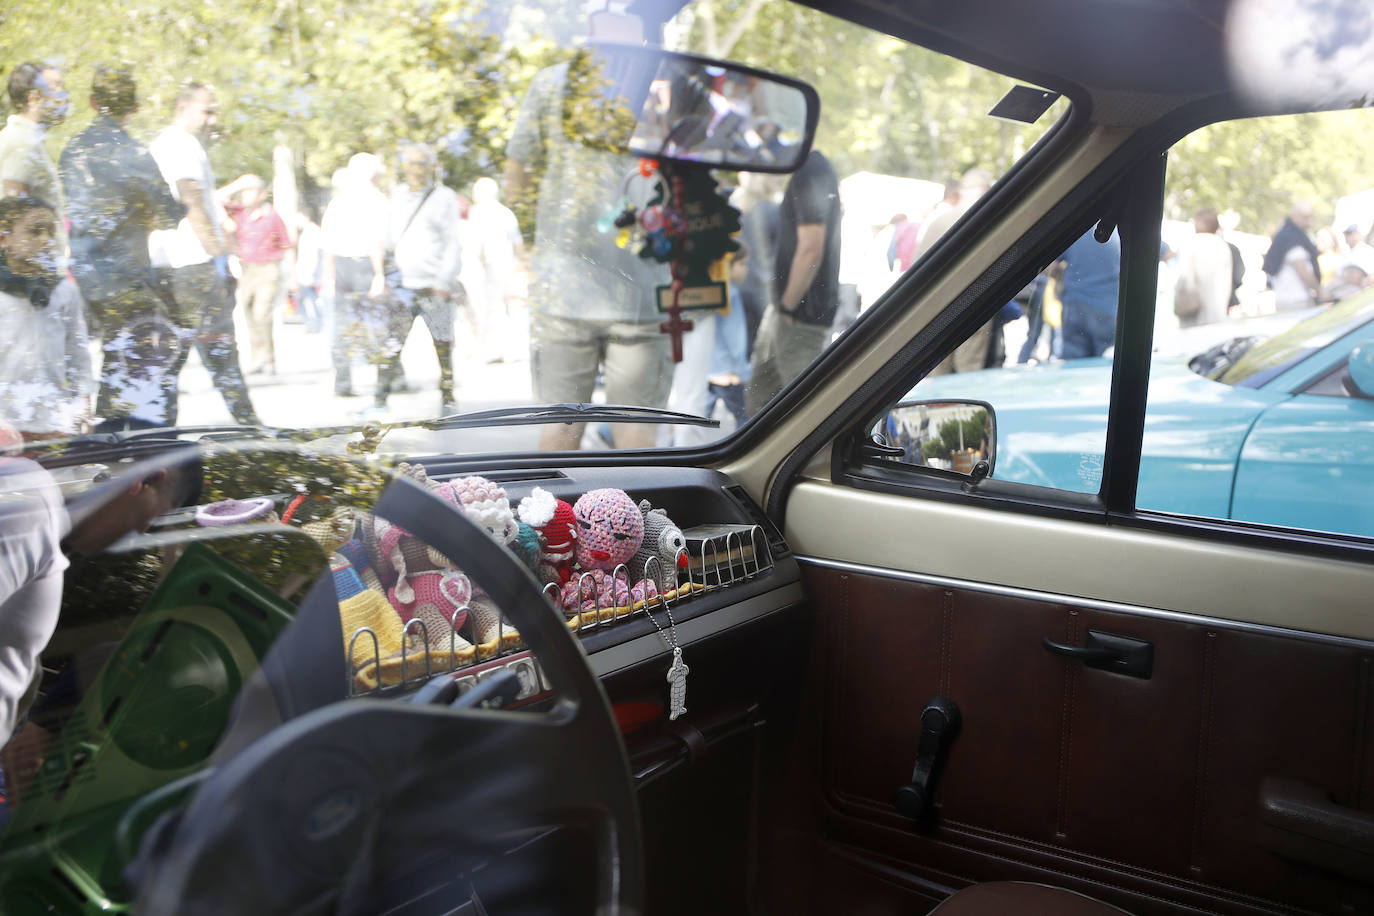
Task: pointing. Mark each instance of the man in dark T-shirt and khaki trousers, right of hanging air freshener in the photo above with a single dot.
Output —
(806, 295)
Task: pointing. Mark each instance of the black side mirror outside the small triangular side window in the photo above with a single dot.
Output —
(960, 437)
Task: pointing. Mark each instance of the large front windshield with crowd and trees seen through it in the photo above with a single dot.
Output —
(307, 215)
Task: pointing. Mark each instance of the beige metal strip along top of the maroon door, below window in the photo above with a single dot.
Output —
(1133, 569)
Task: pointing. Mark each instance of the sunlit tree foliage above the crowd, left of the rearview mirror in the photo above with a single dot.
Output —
(325, 79)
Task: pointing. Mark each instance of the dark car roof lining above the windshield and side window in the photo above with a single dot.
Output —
(1133, 58)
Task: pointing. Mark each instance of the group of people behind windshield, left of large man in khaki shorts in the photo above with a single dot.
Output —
(139, 251)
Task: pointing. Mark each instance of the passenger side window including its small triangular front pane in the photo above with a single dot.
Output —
(1254, 411)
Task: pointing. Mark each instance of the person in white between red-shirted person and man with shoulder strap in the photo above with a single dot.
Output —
(354, 253)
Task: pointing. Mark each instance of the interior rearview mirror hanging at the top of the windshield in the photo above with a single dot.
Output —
(693, 109)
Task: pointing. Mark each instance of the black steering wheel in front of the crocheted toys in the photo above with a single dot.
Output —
(325, 812)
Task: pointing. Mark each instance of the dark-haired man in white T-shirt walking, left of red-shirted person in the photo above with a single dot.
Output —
(193, 259)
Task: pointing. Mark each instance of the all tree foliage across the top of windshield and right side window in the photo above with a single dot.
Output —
(333, 78)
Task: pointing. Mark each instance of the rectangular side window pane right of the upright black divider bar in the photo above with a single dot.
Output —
(1265, 293)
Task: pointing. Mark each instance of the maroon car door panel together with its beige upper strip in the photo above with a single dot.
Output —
(1144, 793)
